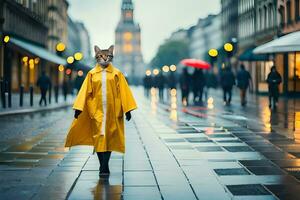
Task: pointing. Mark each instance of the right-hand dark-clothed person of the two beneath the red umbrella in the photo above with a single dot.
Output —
(198, 83)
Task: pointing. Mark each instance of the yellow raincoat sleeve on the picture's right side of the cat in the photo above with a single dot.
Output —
(127, 99)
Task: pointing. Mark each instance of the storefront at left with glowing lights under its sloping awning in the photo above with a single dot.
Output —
(24, 62)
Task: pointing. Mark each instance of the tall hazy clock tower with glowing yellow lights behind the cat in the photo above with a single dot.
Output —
(128, 57)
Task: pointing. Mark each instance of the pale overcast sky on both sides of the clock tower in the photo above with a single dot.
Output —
(157, 19)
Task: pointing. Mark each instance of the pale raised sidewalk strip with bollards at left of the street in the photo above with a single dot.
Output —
(26, 108)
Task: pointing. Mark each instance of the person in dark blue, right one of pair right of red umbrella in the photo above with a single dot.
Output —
(244, 80)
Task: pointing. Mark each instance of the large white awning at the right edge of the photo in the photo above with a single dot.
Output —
(287, 43)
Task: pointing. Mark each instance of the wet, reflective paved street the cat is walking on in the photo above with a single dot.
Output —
(170, 155)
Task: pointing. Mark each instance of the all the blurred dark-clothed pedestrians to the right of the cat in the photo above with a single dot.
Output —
(200, 82)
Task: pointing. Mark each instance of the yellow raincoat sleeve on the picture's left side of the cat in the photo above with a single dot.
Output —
(84, 92)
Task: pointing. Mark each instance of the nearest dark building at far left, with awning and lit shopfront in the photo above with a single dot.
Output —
(32, 30)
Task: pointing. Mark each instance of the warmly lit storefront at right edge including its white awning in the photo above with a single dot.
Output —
(284, 53)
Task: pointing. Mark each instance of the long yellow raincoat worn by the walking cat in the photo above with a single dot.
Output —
(88, 129)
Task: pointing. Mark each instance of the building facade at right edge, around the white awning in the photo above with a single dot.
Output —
(259, 22)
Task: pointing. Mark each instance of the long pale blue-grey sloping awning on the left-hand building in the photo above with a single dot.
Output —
(38, 51)
